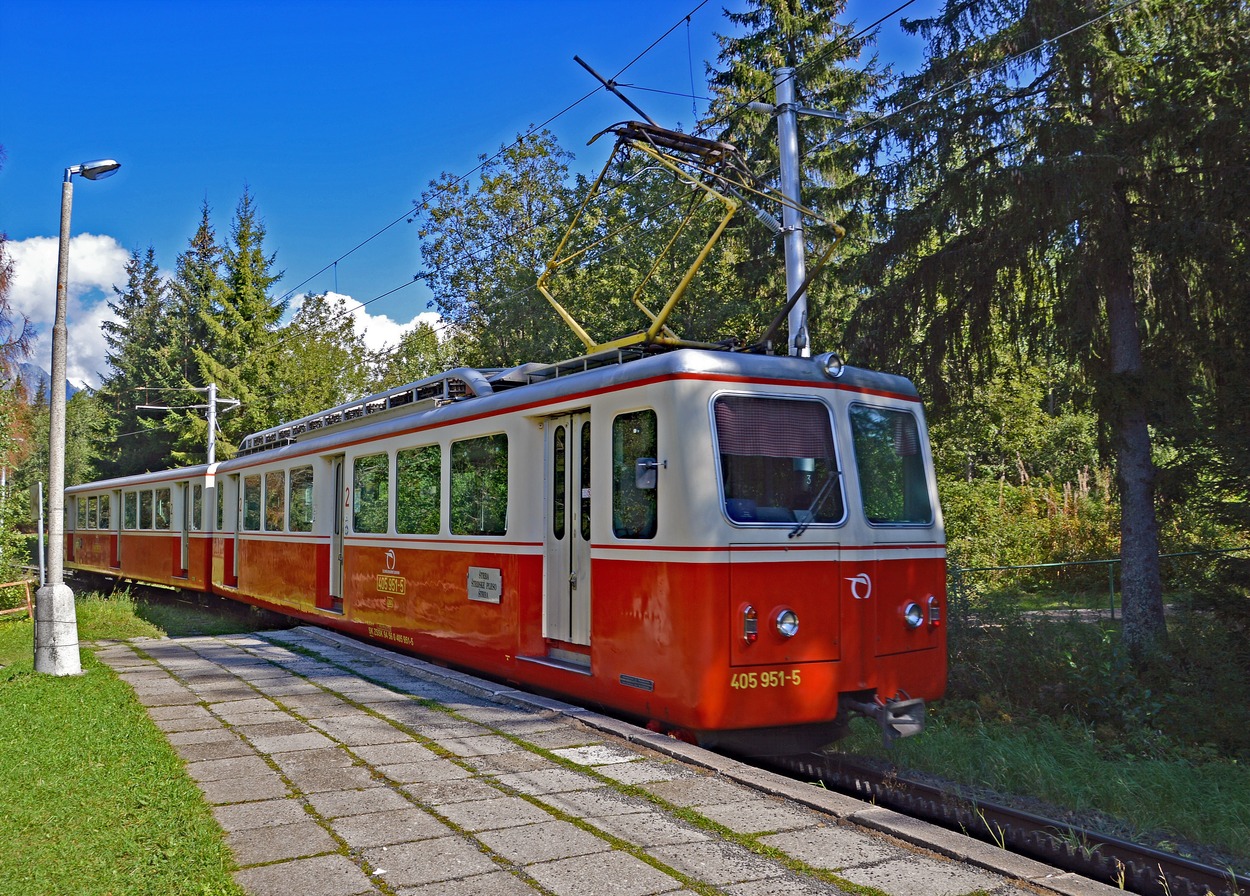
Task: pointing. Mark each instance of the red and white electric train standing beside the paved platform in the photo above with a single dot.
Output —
(739, 549)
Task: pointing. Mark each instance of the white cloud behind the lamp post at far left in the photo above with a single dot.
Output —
(97, 264)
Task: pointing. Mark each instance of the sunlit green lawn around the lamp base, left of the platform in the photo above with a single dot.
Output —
(93, 799)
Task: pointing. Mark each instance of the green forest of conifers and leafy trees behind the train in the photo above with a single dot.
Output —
(1046, 229)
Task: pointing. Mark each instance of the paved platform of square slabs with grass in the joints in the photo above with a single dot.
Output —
(339, 769)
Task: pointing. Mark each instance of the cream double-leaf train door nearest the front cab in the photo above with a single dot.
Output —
(567, 603)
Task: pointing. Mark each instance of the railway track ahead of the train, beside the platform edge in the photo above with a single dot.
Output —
(1119, 863)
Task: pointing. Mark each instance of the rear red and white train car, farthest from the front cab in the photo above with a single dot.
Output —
(151, 528)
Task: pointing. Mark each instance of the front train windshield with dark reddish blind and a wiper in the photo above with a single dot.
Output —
(778, 464)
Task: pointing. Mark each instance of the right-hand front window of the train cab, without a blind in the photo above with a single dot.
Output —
(892, 468)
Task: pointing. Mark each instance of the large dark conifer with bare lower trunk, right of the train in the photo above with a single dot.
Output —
(1022, 183)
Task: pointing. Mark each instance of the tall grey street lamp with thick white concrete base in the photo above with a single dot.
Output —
(57, 648)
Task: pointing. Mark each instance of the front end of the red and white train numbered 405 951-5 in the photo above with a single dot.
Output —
(823, 555)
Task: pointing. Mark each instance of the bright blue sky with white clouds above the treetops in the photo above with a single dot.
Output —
(334, 116)
